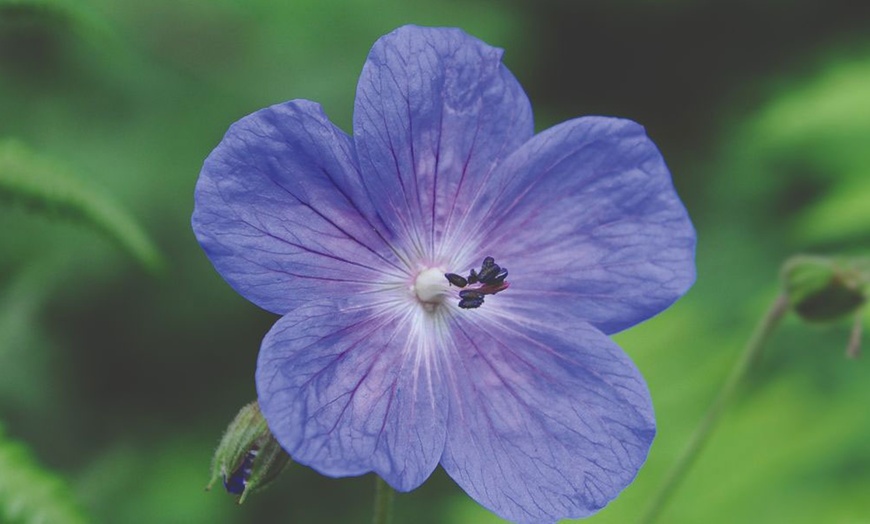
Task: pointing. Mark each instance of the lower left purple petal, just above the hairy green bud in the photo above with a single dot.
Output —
(346, 392)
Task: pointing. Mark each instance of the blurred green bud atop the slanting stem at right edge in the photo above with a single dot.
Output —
(822, 289)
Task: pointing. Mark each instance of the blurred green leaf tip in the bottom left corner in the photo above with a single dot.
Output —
(30, 494)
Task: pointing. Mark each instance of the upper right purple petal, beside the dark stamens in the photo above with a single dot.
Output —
(588, 221)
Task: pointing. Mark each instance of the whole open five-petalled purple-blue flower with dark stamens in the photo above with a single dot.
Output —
(378, 363)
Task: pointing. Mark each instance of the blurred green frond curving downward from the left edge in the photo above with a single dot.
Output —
(44, 186)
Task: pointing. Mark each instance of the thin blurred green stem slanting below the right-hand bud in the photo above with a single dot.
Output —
(699, 438)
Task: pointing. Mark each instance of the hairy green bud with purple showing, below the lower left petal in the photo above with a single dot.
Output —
(248, 457)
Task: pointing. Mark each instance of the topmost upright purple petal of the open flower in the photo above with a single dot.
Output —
(435, 112)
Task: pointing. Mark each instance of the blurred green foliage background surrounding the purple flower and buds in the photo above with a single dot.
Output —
(116, 381)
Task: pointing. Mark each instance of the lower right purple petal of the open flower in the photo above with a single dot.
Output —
(546, 421)
